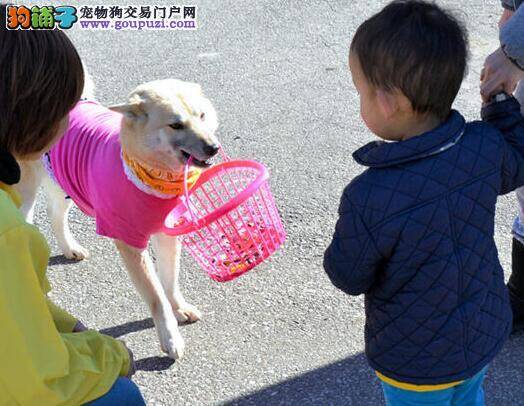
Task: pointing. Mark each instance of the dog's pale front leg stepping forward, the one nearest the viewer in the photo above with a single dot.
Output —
(142, 273)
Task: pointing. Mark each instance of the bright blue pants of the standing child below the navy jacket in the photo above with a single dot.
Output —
(468, 393)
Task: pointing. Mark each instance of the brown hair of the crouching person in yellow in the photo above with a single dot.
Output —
(41, 79)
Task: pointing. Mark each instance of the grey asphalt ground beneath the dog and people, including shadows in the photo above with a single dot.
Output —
(281, 335)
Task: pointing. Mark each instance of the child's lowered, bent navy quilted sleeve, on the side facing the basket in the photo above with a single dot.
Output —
(352, 259)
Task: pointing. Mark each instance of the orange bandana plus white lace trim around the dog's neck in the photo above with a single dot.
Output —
(156, 182)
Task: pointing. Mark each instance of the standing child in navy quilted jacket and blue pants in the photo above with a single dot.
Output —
(415, 232)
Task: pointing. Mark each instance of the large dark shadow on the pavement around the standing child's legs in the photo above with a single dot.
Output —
(352, 382)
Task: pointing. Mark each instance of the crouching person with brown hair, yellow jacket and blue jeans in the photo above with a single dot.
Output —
(44, 361)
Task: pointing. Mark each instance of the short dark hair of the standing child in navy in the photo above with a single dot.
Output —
(415, 47)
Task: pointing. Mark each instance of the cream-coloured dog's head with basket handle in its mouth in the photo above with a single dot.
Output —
(167, 121)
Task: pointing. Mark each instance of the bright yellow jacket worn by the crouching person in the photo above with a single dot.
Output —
(42, 363)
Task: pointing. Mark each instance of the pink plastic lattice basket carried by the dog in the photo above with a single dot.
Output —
(229, 219)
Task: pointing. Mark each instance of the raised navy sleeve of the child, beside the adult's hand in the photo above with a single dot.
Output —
(507, 118)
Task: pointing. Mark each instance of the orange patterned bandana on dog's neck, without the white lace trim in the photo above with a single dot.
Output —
(164, 182)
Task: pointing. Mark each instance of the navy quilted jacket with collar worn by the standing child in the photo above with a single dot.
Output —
(416, 235)
